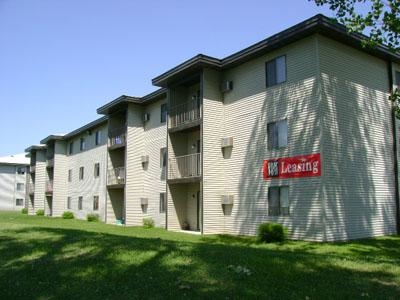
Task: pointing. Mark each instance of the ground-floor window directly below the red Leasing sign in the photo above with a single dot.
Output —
(278, 201)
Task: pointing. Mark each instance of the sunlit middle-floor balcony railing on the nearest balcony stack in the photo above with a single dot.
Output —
(185, 166)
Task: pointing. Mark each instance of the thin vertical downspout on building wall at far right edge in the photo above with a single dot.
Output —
(396, 168)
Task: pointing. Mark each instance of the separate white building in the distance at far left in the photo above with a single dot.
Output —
(13, 170)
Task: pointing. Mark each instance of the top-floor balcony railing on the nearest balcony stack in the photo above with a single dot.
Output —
(184, 113)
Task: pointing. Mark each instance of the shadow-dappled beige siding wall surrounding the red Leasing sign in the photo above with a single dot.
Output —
(248, 108)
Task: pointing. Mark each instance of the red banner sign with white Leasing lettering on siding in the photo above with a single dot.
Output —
(292, 167)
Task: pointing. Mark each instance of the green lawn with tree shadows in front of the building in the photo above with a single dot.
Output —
(53, 258)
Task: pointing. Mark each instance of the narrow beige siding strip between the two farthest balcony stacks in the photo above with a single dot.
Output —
(40, 180)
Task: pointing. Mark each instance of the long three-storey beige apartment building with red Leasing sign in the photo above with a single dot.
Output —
(296, 129)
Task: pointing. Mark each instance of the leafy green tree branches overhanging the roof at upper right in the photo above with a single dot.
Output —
(378, 19)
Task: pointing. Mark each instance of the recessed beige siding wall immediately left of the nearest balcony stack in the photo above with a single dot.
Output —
(155, 135)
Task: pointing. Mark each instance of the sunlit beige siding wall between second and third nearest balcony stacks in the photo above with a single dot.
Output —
(90, 186)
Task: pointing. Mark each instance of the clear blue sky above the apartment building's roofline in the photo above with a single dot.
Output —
(61, 60)
